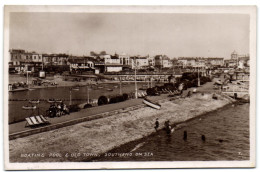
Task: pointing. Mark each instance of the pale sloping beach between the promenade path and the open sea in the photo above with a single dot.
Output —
(77, 142)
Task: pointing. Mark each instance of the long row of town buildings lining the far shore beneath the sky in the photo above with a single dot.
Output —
(22, 61)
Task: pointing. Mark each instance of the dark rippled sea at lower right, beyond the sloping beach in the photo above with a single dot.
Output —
(226, 133)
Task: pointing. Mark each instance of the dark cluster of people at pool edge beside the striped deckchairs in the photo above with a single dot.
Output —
(57, 110)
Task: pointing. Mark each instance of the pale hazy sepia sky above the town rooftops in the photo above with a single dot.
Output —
(175, 35)
